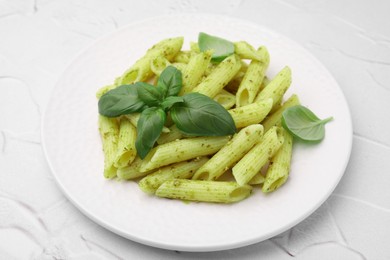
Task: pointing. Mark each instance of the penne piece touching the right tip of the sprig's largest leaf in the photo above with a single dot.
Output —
(251, 114)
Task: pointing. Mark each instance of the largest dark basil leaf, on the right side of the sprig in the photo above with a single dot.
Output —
(200, 115)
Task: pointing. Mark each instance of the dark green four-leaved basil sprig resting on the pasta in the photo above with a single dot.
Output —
(193, 113)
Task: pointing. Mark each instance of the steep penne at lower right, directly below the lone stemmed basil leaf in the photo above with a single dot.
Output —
(279, 168)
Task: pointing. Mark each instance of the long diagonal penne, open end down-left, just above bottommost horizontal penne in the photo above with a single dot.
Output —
(232, 152)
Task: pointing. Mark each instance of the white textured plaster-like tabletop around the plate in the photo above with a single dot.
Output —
(38, 38)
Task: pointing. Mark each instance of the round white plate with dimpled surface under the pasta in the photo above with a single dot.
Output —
(74, 152)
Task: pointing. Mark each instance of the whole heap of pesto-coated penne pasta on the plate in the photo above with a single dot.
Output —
(198, 168)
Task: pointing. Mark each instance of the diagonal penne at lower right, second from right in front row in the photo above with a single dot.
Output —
(258, 156)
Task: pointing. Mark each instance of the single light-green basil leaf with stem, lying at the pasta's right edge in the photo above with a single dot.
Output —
(302, 123)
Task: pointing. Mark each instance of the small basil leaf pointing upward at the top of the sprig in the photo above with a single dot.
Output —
(170, 81)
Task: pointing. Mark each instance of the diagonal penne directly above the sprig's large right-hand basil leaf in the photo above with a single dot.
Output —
(219, 77)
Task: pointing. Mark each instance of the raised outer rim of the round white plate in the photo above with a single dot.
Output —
(209, 248)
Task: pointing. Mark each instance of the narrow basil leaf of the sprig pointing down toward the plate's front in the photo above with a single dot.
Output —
(149, 127)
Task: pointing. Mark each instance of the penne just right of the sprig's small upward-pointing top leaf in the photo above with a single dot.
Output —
(194, 71)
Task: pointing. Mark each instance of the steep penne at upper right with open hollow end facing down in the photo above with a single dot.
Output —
(251, 83)
